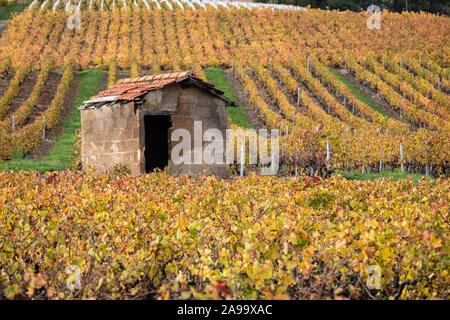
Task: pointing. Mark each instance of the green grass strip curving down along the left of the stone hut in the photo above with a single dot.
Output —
(63, 151)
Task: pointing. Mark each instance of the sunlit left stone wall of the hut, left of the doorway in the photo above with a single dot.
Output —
(110, 136)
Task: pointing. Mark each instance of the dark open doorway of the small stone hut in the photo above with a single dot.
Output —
(156, 142)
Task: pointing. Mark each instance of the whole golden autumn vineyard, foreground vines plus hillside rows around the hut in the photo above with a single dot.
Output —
(256, 237)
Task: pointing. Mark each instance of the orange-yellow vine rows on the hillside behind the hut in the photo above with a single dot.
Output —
(282, 58)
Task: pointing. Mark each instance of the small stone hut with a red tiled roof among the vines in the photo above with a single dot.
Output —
(131, 123)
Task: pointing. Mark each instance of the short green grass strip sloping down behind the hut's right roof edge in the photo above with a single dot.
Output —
(237, 114)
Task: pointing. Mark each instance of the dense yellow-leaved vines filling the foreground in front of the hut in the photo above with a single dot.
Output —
(160, 237)
